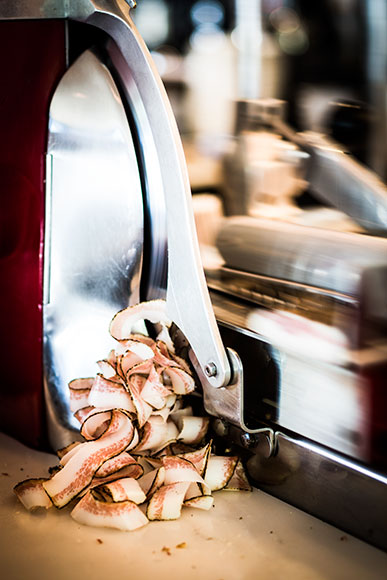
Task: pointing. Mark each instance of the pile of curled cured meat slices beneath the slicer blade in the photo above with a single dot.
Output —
(144, 454)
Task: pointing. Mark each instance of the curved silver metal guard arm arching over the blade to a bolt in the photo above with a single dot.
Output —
(188, 303)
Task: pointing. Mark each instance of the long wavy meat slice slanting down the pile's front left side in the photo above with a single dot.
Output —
(79, 470)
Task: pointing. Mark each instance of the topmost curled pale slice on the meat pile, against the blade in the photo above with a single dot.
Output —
(123, 322)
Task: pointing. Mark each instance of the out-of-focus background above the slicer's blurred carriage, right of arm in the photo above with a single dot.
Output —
(325, 60)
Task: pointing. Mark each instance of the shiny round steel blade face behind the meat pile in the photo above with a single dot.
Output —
(94, 230)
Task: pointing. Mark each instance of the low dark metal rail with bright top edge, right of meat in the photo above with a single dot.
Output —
(324, 484)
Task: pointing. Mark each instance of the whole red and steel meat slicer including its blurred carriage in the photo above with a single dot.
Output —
(96, 215)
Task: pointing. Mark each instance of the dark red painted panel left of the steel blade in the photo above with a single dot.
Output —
(32, 60)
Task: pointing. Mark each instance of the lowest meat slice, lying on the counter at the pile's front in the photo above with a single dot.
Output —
(124, 515)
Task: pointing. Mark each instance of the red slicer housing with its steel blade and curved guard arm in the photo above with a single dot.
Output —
(96, 208)
